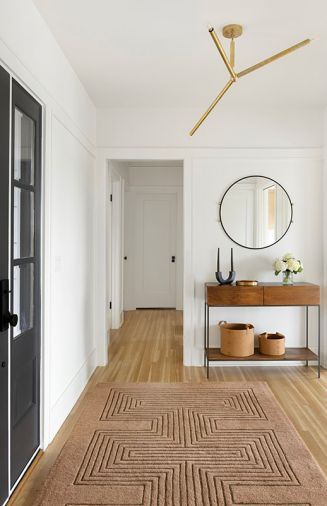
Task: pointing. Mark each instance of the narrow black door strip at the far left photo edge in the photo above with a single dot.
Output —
(4, 276)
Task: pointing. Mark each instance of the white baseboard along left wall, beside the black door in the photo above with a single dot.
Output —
(63, 406)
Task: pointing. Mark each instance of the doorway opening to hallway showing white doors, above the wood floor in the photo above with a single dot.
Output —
(144, 237)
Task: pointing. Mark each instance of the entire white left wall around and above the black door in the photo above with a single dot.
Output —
(29, 51)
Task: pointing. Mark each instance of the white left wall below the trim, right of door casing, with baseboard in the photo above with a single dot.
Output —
(73, 356)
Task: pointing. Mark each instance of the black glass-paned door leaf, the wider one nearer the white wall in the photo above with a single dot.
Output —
(25, 279)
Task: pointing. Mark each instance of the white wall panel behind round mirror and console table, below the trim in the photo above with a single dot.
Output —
(302, 178)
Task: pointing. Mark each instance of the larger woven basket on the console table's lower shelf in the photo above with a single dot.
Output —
(236, 339)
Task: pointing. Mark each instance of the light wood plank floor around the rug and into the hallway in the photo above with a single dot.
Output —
(149, 348)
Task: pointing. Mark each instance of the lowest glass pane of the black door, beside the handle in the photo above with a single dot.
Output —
(23, 297)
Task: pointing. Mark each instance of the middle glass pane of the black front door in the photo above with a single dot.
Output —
(23, 223)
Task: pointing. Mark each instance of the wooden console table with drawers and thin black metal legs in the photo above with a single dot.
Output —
(264, 294)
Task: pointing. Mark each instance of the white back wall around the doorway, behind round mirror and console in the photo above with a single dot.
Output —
(283, 144)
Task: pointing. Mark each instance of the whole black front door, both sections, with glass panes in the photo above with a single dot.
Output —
(20, 191)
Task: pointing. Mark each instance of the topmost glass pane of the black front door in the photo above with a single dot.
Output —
(24, 148)
